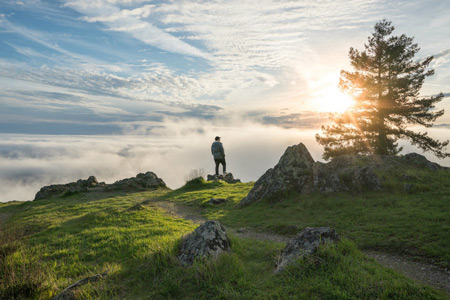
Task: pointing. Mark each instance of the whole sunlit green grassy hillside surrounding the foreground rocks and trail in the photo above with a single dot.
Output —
(47, 245)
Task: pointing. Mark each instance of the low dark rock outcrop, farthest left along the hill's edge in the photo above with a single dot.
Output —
(72, 187)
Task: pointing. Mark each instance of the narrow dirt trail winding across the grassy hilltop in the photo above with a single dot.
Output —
(430, 274)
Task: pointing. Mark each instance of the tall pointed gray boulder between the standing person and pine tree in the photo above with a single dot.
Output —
(292, 172)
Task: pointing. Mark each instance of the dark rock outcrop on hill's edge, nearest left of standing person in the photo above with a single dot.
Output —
(148, 180)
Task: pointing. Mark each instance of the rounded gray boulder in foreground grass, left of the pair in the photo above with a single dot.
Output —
(208, 240)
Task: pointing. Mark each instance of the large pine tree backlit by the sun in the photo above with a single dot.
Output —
(385, 85)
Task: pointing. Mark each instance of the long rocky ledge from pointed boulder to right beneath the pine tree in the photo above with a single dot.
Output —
(297, 171)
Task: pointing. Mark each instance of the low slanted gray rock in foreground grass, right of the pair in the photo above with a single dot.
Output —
(305, 244)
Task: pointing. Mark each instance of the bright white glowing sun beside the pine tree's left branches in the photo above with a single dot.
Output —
(333, 100)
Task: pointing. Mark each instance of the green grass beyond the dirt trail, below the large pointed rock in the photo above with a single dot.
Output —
(394, 220)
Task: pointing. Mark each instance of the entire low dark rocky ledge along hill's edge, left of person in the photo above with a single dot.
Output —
(142, 181)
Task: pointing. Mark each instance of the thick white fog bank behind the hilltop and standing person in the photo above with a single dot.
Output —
(28, 162)
